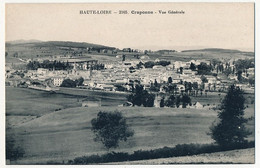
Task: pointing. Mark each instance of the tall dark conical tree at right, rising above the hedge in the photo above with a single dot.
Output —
(231, 130)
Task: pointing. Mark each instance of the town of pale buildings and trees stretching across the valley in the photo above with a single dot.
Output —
(113, 70)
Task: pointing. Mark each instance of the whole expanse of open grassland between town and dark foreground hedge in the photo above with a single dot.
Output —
(54, 127)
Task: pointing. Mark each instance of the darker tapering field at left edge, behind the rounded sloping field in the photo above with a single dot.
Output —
(23, 101)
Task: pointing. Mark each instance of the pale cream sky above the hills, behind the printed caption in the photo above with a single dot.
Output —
(203, 25)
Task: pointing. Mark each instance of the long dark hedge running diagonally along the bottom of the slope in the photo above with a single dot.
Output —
(166, 152)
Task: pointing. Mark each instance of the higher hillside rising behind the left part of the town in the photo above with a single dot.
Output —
(50, 49)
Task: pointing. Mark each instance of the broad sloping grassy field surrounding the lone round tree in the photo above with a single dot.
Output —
(66, 134)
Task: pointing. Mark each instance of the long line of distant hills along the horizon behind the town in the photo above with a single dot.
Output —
(51, 49)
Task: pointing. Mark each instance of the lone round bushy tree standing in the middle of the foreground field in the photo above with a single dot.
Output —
(110, 128)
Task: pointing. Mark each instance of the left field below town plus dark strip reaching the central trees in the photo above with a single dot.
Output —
(23, 101)
